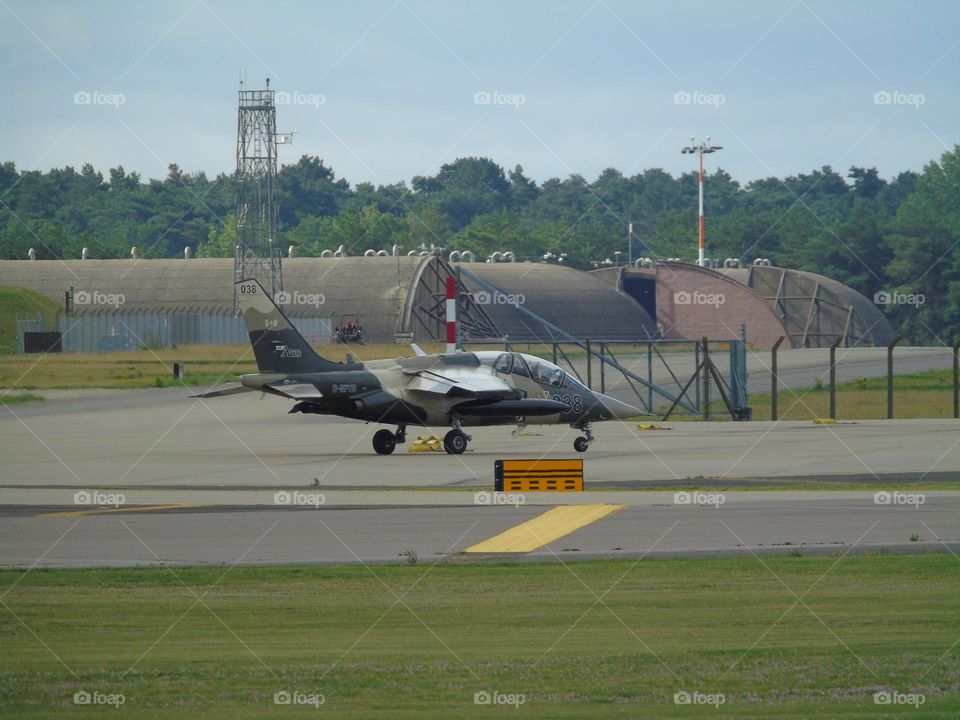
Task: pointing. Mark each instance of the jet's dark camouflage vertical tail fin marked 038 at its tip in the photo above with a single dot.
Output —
(277, 344)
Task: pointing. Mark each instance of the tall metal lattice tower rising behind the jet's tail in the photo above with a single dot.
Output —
(257, 255)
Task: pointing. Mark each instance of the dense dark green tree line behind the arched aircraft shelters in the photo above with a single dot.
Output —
(899, 236)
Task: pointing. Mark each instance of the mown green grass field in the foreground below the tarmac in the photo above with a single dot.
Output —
(421, 641)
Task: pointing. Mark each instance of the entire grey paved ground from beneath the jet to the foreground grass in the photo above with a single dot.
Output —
(151, 476)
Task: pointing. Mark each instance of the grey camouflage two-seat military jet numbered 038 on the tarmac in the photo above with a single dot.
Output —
(454, 390)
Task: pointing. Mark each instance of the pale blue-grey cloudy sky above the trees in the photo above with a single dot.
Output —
(383, 90)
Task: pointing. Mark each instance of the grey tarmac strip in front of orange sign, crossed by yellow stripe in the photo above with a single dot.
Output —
(816, 523)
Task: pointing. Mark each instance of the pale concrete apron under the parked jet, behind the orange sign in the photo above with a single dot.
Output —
(165, 439)
